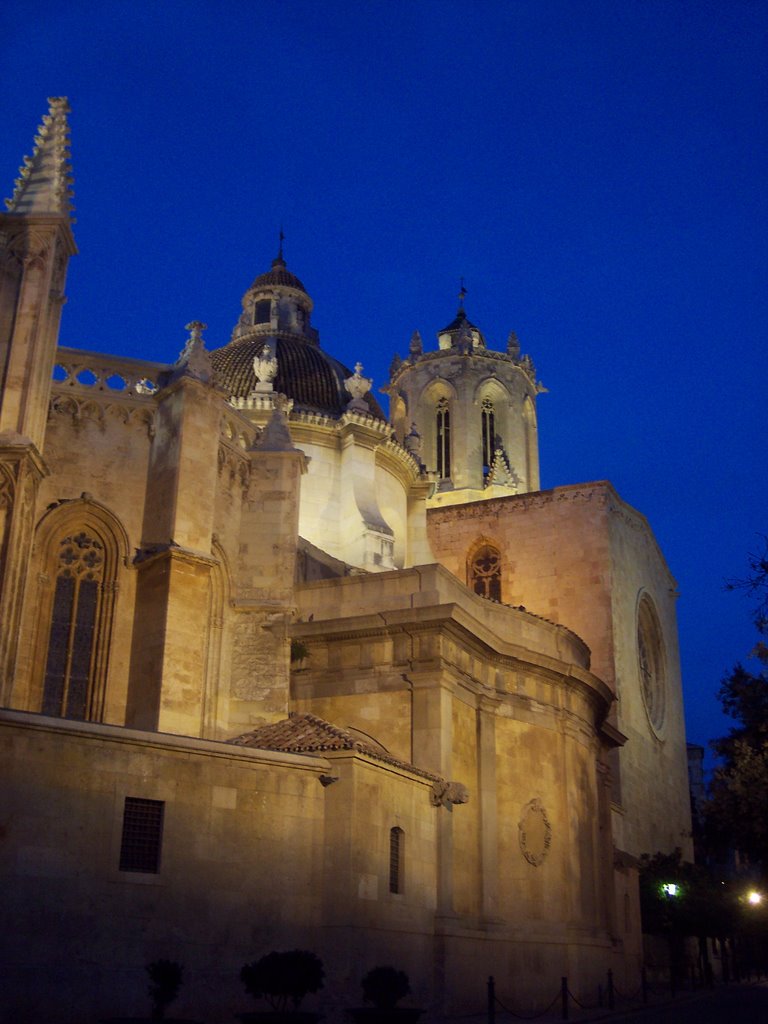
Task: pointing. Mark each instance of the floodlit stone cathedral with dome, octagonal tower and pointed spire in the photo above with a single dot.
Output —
(280, 670)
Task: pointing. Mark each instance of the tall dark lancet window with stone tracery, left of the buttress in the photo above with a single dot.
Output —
(72, 669)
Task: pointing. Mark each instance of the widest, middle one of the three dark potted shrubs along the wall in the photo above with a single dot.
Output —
(283, 979)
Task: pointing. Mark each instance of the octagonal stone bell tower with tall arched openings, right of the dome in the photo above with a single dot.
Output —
(472, 412)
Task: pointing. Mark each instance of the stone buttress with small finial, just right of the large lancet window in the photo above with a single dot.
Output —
(167, 686)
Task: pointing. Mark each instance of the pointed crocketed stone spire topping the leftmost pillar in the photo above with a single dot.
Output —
(45, 186)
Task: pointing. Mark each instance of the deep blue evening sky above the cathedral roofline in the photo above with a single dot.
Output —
(595, 169)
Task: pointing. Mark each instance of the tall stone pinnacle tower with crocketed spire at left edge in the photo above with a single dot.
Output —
(36, 243)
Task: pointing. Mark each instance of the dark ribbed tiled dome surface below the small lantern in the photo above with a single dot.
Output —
(313, 378)
